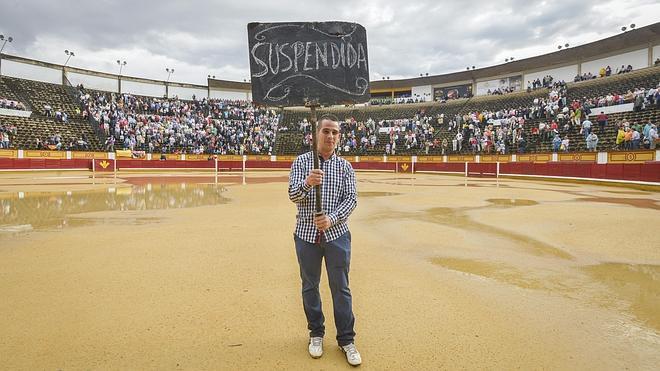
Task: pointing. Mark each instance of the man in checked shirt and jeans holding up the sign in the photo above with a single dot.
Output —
(325, 236)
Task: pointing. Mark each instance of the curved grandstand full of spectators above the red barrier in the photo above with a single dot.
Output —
(202, 122)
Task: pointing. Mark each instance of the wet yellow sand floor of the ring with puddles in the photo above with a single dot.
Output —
(178, 272)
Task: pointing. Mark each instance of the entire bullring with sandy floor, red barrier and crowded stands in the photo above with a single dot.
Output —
(180, 258)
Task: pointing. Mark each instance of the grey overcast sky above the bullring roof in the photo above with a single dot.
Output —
(405, 38)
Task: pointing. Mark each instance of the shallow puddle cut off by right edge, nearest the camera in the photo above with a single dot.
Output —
(636, 284)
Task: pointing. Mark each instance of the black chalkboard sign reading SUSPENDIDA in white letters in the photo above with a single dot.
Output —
(298, 63)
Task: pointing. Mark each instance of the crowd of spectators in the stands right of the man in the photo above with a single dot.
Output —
(556, 120)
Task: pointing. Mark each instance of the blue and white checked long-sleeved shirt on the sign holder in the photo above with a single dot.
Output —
(339, 195)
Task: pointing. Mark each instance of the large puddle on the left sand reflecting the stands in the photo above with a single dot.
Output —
(28, 211)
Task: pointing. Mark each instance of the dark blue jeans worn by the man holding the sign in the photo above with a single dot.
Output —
(337, 255)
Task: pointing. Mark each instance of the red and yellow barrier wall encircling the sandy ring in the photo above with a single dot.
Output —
(639, 166)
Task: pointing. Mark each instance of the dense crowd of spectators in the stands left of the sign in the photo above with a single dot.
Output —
(178, 126)
